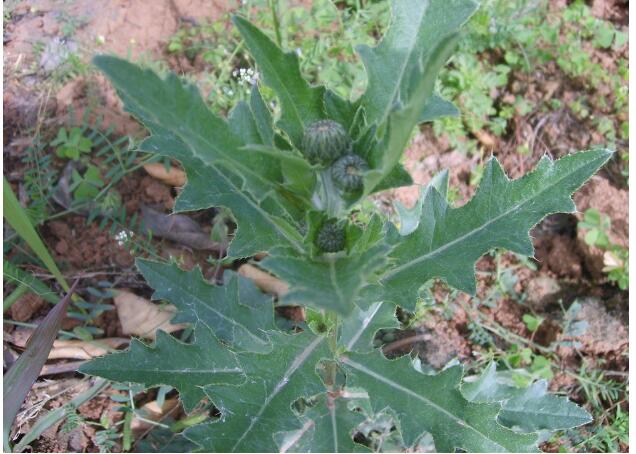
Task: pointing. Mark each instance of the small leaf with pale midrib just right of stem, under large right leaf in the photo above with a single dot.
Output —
(359, 328)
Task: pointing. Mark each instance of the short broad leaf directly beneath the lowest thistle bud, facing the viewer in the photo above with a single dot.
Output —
(327, 282)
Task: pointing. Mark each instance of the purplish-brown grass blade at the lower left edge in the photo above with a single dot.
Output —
(19, 379)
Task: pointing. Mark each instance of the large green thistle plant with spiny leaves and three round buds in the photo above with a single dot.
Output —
(291, 184)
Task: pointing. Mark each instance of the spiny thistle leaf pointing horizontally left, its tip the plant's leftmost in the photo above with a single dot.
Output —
(186, 367)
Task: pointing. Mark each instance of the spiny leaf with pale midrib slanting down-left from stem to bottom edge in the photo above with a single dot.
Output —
(254, 411)
